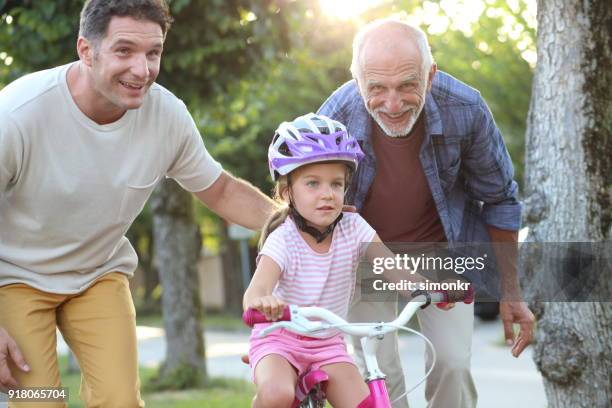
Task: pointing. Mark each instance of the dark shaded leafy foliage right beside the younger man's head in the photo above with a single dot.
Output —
(214, 43)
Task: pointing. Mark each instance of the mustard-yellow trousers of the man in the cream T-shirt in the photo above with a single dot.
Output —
(99, 326)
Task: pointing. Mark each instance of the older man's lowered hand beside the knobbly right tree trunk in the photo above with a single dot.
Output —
(517, 312)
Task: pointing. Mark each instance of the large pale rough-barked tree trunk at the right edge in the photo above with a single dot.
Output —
(568, 177)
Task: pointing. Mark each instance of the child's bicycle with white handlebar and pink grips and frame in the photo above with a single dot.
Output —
(310, 388)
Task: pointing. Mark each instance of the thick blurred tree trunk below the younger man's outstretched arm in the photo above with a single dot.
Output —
(177, 246)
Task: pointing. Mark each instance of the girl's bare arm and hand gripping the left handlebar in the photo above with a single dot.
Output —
(259, 293)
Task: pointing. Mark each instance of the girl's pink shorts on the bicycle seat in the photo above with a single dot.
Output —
(303, 353)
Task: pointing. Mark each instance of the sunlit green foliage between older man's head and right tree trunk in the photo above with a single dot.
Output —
(490, 60)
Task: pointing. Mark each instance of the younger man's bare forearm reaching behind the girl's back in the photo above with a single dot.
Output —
(237, 201)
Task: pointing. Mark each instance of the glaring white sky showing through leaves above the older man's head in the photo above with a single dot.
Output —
(440, 16)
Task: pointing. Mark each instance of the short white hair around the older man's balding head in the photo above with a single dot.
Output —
(411, 32)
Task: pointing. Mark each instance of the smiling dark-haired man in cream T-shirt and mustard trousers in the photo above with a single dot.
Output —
(82, 147)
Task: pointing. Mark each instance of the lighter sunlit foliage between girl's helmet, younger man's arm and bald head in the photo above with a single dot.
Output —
(238, 124)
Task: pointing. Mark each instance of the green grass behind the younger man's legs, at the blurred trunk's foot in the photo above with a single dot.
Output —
(220, 393)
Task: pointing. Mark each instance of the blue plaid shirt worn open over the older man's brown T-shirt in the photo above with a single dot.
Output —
(463, 155)
